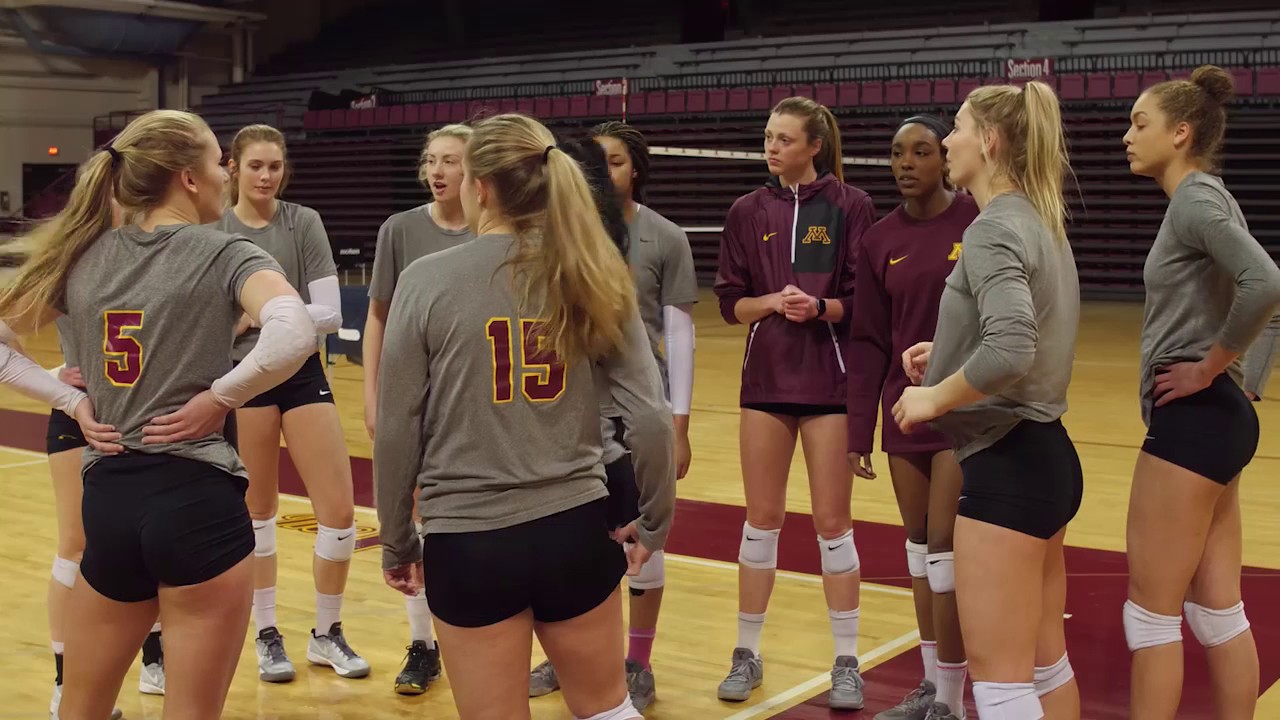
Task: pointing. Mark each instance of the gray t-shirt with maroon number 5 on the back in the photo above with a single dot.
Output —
(153, 317)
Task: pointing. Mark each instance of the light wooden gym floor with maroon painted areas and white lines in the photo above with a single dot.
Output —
(698, 626)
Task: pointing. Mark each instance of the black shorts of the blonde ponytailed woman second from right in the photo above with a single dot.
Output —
(1030, 481)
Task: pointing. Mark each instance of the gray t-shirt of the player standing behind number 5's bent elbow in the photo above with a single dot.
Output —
(298, 240)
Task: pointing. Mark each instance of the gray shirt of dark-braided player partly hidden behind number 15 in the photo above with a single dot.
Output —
(662, 268)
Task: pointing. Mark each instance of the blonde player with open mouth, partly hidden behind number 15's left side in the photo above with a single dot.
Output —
(401, 240)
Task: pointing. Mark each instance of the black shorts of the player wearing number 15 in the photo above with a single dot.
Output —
(560, 567)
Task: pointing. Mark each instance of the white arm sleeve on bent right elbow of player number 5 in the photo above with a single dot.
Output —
(289, 338)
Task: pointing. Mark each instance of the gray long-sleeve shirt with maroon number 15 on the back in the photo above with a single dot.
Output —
(488, 430)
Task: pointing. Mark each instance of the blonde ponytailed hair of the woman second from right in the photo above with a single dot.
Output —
(1034, 152)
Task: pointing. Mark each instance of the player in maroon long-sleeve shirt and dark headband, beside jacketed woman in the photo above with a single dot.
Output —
(903, 266)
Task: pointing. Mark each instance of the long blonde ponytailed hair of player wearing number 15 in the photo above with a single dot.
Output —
(565, 259)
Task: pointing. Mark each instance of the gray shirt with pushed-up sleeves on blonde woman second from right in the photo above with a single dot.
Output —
(1009, 317)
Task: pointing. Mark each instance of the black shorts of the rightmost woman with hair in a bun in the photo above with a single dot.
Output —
(1213, 434)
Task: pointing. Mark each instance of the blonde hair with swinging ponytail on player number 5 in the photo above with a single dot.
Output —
(136, 170)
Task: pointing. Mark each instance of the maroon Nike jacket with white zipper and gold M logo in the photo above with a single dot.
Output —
(775, 238)
